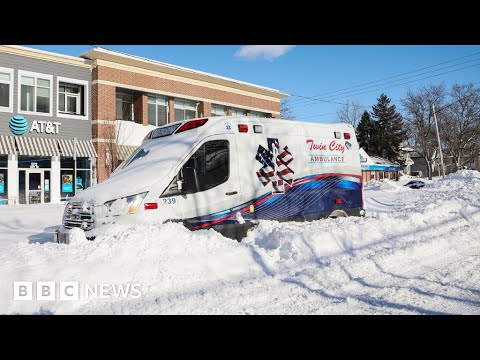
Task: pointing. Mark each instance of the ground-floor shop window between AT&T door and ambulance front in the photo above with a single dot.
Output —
(82, 177)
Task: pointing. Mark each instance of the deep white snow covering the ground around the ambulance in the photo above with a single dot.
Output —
(416, 252)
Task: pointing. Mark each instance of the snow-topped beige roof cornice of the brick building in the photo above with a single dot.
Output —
(99, 53)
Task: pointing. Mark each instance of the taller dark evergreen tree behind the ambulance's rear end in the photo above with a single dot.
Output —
(389, 130)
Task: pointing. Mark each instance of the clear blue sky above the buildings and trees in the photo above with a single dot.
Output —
(318, 70)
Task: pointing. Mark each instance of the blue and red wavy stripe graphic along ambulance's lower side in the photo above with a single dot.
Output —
(308, 195)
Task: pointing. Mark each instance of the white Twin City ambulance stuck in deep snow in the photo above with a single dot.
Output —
(227, 173)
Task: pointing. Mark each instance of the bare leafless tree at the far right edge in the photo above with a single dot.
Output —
(460, 122)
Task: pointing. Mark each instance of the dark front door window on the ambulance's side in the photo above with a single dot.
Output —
(207, 168)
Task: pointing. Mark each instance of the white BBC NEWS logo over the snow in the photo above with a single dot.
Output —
(72, 290)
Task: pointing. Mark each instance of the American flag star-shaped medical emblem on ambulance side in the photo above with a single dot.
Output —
(275, 166)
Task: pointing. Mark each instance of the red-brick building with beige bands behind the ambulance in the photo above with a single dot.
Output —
(132, 95)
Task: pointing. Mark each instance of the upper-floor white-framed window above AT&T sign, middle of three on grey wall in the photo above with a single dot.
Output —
(35, 92)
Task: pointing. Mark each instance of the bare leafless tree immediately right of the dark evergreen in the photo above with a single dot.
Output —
(420, 122)
